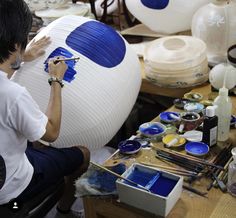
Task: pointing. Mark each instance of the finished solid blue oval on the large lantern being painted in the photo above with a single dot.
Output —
(98, 42)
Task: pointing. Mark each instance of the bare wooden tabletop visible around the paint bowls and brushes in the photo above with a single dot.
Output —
(190, 205)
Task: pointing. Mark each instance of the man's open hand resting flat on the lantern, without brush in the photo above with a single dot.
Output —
(36, 48)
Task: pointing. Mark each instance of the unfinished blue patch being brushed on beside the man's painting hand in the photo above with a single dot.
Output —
(70, 72)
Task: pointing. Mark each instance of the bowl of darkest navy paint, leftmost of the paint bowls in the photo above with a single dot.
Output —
(129, 146)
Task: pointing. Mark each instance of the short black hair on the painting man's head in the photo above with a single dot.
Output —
(15, 24)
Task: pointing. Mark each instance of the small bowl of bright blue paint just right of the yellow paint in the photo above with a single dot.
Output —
(197, 148)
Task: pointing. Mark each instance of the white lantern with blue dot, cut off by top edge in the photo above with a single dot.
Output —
(165, 16)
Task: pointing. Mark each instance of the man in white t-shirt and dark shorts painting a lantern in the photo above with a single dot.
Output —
(30, 170)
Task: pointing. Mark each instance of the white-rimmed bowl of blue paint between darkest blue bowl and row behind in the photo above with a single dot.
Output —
(152, 129)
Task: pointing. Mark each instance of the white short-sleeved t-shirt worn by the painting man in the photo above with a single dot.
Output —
(20, 120)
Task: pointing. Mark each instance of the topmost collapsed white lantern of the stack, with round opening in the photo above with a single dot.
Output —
(175, 52)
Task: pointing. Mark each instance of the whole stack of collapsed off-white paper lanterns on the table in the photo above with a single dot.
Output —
(176, 61)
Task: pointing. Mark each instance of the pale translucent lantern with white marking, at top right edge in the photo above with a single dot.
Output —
(215, 24)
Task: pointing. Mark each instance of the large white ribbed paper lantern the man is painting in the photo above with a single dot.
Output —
(100, 89)
